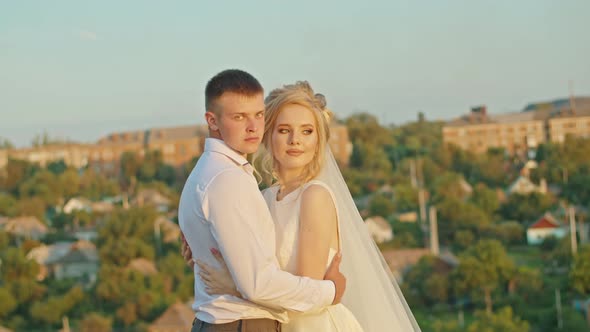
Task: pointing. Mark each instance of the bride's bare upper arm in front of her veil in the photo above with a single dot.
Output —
(317, 230)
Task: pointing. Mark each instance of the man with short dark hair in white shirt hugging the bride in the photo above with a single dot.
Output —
(221, 207)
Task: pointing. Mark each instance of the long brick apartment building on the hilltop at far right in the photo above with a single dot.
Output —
(519, 131)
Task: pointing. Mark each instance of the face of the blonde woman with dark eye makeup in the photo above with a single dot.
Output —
(294, 138)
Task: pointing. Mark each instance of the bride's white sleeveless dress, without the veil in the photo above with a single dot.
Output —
(285, 214)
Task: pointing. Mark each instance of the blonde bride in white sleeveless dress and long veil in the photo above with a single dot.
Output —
(315, 217)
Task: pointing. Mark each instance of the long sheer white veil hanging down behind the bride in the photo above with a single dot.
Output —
(372, 294)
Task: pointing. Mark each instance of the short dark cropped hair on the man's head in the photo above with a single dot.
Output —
(231, 80)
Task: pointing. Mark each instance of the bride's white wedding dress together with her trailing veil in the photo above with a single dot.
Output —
(372, 297)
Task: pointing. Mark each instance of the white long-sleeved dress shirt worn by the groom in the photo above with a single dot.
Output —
(221, 207)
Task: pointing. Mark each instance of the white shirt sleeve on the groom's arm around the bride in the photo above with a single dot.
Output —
(243, 228)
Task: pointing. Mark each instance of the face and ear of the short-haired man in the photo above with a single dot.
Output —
(238, 121)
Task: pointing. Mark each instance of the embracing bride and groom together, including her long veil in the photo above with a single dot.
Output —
(296, 257)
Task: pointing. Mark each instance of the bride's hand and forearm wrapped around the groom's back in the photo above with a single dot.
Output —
(217, 281)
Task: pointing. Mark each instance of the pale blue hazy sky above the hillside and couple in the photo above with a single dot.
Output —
(80, 70)
